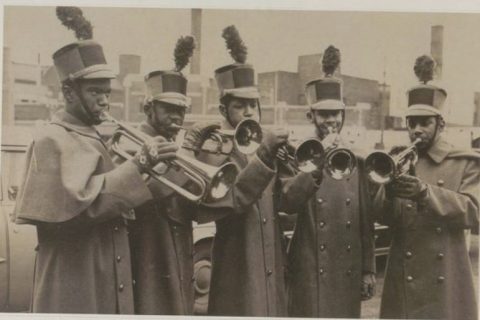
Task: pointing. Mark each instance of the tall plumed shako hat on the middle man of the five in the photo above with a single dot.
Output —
(236, 79)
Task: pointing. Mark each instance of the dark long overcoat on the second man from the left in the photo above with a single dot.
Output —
(162, 249)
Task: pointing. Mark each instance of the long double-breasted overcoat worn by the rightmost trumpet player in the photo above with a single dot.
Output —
(429, 274)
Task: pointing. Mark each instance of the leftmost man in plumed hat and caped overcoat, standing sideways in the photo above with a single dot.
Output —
(75, 196)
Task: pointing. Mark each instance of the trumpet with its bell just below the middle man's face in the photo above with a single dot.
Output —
(245, 139)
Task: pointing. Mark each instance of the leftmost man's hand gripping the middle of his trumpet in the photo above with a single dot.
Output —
(153, 151)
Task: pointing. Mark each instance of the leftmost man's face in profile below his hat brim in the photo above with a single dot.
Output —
(96, 98)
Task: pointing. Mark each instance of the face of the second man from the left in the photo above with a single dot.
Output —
(162, 115)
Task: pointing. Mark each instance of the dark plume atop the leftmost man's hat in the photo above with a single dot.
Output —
(73, 19)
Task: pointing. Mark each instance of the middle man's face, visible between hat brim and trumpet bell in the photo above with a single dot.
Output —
(239, 109)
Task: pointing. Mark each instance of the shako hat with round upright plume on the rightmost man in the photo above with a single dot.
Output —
(425, 99)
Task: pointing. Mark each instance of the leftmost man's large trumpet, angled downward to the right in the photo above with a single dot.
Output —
(212, 182)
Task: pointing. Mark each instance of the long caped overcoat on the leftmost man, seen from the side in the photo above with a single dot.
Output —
(79, 203)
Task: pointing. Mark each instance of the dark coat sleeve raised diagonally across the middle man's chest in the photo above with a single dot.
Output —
(246, 190)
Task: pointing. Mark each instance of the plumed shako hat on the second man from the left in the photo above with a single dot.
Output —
(170, 86)
